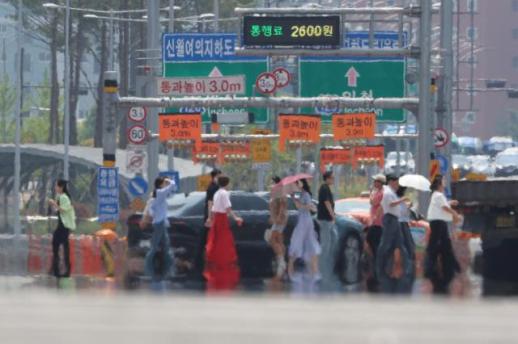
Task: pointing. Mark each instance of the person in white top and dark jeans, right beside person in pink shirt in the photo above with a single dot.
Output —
(391, 252)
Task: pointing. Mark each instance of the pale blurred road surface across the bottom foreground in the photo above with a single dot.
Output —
(66, 317)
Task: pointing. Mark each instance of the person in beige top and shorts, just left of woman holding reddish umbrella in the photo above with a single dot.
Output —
(278, 219)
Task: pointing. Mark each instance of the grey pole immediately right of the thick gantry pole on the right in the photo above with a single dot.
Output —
(444, 104)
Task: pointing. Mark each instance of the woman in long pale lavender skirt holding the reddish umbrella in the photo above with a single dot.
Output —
(304, 243)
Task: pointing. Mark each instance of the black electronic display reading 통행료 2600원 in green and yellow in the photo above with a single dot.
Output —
(291, 31)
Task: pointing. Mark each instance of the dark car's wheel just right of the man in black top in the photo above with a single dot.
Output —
(350, 259)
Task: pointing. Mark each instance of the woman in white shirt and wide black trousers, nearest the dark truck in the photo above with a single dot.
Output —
(441, 261)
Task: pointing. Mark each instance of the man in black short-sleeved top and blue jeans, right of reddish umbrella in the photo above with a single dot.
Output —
(326, 220)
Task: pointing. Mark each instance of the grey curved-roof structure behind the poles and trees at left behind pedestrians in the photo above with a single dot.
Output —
(42, 164)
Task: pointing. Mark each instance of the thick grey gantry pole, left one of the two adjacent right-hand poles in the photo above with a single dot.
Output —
(425, 132)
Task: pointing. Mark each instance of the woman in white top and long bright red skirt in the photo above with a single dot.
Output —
(220, 250)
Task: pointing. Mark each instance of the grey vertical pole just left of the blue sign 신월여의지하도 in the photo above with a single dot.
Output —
(153, 45)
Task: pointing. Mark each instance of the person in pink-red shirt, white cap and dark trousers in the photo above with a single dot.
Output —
(375, 229)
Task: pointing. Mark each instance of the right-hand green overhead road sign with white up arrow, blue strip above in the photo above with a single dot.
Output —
(356, 77)
